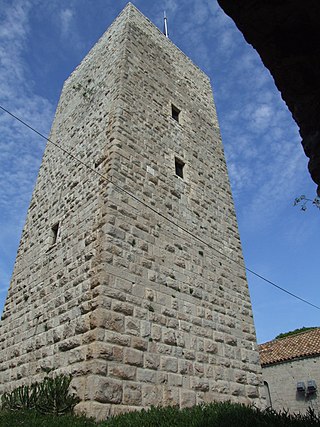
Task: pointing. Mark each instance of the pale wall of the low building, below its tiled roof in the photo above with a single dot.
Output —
(282, 380)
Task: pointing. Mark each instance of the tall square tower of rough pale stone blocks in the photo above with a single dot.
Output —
(129, 273)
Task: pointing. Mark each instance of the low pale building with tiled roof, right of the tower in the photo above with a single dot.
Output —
(291, 371)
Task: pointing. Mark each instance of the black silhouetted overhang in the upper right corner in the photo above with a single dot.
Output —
(286, 35)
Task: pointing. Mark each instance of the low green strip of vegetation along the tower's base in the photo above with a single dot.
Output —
(211, 415)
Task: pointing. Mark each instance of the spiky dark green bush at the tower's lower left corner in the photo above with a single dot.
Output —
(51, 396)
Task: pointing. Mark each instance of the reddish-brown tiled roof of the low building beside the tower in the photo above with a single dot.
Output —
(304, 344)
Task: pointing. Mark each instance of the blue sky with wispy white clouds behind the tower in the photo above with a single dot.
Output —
(40, 45)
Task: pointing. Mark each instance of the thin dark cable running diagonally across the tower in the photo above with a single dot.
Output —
(153, 209)
